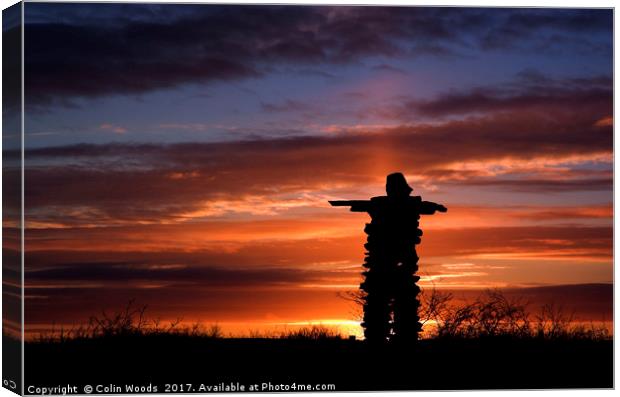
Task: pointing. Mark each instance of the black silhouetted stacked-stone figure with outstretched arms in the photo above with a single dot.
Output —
(390, 292)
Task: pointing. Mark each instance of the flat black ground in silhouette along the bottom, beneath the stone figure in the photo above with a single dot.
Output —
(494, 363)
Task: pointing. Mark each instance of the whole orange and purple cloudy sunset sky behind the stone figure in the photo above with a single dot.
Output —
(183, 155)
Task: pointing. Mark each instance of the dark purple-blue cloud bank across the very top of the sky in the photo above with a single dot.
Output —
(90, 50)
